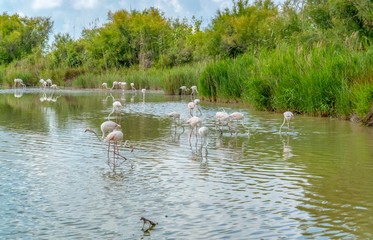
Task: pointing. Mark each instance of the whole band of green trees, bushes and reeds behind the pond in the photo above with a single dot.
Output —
(308, 56)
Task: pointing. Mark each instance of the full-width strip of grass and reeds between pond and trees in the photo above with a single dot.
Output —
(323, 80)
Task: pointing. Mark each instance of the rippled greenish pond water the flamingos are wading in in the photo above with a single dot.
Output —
(313, 183)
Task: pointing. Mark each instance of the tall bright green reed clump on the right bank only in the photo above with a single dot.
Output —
(324, 80)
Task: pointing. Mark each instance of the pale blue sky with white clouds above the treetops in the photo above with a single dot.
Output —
(72, 16)
